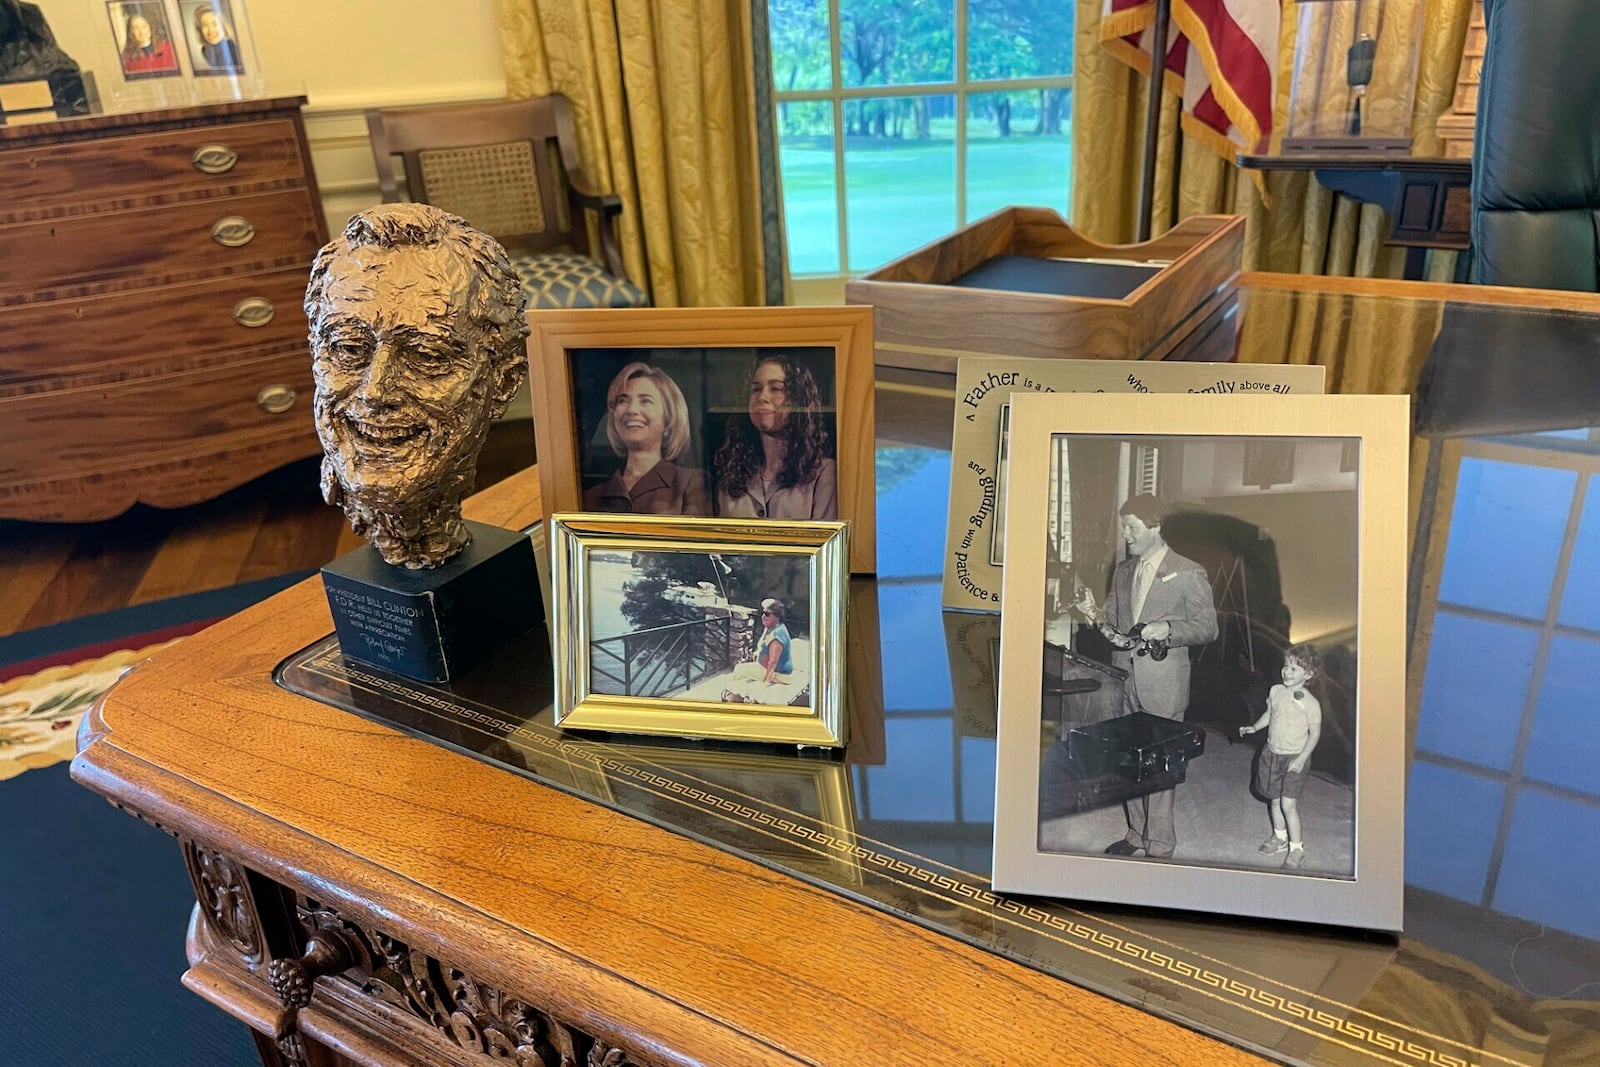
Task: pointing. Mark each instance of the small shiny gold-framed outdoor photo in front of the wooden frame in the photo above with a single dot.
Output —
(700, 628)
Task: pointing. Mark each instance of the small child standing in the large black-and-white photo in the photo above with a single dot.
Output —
(1294, 724)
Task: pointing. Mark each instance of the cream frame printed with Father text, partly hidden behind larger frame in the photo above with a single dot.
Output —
(975, 533)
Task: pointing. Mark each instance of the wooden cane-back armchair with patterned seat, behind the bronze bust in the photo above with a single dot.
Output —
(495, 166)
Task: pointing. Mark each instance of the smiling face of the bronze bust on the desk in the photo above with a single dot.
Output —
(402, 382)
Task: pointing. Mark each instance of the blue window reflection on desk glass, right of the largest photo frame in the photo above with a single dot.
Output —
(1502, 794)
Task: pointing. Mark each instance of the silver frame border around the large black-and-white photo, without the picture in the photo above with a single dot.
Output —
(1374, 897)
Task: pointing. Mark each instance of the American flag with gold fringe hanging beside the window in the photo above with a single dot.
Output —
(1222, 58)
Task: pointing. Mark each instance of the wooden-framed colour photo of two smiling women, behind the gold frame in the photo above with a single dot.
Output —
(759, 414)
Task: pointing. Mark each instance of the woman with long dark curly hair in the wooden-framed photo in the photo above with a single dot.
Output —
(774, 460)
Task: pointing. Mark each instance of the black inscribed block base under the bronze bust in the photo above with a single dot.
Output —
(434, 626)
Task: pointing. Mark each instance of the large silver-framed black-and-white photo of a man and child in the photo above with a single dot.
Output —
(1202, 666)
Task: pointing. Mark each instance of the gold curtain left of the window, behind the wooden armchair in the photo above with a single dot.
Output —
(665, 108)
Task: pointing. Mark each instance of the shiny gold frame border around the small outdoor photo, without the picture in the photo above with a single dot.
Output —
(823, 546)
